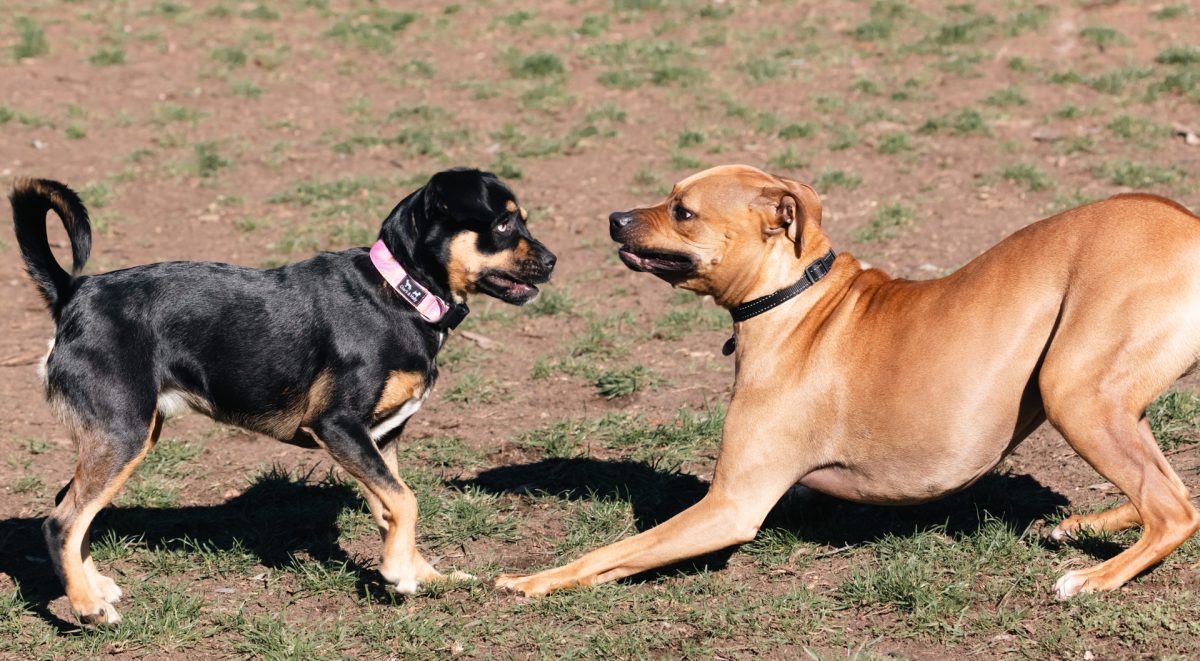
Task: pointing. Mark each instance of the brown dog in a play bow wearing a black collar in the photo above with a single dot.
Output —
(890, 392)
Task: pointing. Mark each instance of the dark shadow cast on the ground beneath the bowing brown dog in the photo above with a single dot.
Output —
(656, 495)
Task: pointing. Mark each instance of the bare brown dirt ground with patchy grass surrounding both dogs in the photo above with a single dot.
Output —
(261, 133)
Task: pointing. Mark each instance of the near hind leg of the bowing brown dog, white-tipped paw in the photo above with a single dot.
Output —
(1121, 448)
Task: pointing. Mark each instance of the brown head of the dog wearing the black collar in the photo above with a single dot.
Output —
(715, 232)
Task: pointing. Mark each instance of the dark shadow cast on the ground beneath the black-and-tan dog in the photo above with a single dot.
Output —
(279, 516)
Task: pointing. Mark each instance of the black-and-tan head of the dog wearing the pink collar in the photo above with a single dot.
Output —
(465, 232)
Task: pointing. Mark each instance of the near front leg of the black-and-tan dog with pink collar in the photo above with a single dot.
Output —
(392, 502)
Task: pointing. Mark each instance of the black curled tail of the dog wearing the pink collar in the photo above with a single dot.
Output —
(32, 199)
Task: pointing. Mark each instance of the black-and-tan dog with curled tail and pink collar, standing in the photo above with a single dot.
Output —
(335, 352)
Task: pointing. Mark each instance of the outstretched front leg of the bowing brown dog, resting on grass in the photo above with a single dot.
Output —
(740, 500)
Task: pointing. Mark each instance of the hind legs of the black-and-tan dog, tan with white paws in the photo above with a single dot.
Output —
(105, 465)
